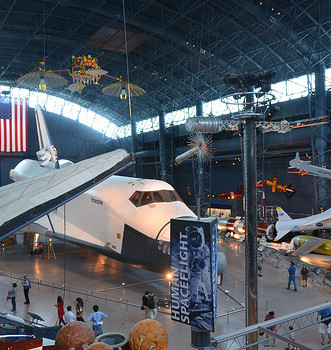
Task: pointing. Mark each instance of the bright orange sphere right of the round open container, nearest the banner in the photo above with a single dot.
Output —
(148, 334)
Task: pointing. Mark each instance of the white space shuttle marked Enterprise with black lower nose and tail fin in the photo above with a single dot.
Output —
(125, 218)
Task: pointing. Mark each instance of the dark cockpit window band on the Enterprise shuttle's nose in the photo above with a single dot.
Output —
(140, 198)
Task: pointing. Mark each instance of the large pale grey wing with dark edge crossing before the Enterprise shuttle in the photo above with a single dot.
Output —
(25, 201)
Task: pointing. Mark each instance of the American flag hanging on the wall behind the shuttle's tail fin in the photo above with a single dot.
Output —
(13, 124)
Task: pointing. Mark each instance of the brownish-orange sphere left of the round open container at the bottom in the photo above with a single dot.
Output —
(76, 335)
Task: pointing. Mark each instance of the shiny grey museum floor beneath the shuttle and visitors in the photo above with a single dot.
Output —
(87, 273)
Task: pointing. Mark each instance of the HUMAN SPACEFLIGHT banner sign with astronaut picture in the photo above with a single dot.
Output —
(194, 272)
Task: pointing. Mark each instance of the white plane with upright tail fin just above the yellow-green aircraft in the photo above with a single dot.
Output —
(286, 227)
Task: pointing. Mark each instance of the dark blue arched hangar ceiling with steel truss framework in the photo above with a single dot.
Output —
(177, 51)
